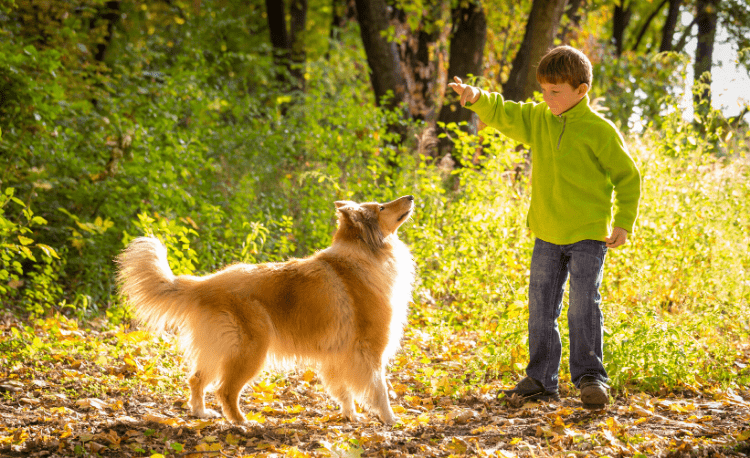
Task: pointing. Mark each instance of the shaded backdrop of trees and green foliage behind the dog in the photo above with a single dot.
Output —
(209, 118)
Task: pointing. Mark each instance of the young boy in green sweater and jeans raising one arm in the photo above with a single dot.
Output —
(579, 162)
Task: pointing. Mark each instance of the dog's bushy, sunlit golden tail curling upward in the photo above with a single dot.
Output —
(157, 297)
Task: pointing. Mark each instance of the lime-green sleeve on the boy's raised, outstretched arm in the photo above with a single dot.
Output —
(512, 119)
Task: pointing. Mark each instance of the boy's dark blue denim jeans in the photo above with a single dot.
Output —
(551, 265)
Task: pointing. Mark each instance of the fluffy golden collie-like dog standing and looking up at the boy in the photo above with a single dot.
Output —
(341, 311)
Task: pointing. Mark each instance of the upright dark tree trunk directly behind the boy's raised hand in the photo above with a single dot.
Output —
(468, 37)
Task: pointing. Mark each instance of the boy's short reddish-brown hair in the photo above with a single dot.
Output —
(564, 64)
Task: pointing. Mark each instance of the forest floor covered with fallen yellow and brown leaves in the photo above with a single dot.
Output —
(71, 392)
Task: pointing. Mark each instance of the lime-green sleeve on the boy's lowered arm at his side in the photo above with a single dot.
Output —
(626, 180)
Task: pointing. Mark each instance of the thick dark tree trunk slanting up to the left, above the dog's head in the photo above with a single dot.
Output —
(382, 54)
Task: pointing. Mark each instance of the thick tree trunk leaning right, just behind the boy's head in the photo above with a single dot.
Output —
(544, 20)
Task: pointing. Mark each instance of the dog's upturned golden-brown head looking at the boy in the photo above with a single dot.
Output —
(372, 222)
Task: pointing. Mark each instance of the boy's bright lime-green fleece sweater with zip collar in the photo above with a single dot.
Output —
(583, 180)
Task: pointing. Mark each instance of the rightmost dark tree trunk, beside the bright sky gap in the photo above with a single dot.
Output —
(706, 16)
